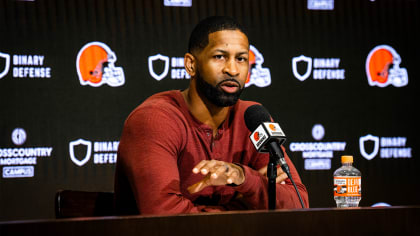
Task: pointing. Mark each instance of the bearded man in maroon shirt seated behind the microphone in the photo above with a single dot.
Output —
(188, 151)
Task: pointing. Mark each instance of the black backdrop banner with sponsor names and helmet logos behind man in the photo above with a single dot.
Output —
(340, 77)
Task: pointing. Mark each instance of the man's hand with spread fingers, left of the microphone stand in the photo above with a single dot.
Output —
(217, 173)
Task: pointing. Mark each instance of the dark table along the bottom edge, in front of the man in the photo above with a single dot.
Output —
(398, 220)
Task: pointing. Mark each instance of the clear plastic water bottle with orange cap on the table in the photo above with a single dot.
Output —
(347, 184)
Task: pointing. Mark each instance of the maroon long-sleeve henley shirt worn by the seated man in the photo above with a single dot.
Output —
(161, 143)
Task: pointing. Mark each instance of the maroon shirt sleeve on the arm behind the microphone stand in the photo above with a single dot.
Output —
(254, 190)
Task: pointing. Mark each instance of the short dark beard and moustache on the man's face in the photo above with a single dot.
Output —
(216, 95)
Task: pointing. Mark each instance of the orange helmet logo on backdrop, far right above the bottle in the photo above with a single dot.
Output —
(383, 67)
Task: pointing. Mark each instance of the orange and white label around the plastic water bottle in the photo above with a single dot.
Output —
(347, 186)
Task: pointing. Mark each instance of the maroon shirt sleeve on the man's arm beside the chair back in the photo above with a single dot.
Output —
(149, 147)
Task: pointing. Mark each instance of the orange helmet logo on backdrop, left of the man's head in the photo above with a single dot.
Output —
(95, 66)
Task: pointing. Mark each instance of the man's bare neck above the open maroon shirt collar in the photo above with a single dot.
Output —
(205, 111)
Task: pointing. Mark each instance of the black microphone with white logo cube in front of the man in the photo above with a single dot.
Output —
(266, 135)
